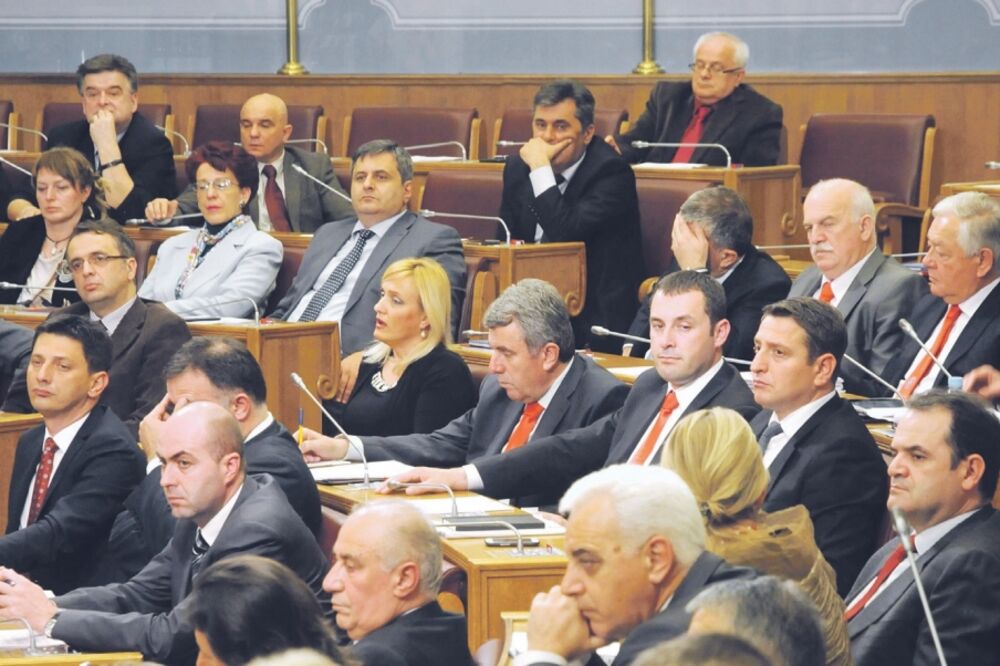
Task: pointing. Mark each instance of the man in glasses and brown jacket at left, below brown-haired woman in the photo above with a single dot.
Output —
(144, 335)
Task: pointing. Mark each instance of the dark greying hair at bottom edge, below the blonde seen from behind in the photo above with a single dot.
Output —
(774, 615)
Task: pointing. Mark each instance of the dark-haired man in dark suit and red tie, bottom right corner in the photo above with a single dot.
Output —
(943, 476)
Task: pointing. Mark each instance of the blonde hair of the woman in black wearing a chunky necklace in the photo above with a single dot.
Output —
(434, 294)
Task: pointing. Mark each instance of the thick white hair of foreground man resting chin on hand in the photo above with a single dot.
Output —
(646, 501)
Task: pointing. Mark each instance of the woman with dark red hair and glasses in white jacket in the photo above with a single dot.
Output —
(227, 267)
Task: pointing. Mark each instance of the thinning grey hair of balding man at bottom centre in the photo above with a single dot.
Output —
(410, 537)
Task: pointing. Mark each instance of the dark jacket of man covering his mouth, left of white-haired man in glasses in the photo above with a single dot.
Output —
(600, 208)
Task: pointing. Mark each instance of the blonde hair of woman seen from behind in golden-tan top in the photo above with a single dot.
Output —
(717, 455)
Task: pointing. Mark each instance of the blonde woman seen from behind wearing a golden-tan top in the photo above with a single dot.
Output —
(717, 455)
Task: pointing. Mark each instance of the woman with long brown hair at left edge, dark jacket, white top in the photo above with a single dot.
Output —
(32, 249)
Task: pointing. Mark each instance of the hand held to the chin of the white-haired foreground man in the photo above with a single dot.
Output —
(556, 625)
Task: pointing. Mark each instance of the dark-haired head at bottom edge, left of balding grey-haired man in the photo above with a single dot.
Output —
(248, 606)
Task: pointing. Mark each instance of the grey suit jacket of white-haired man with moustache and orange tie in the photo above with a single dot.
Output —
(882, 292)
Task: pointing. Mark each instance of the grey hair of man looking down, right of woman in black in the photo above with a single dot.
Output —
(541, 312)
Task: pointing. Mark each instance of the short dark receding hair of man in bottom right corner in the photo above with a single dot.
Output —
(974, 429)
